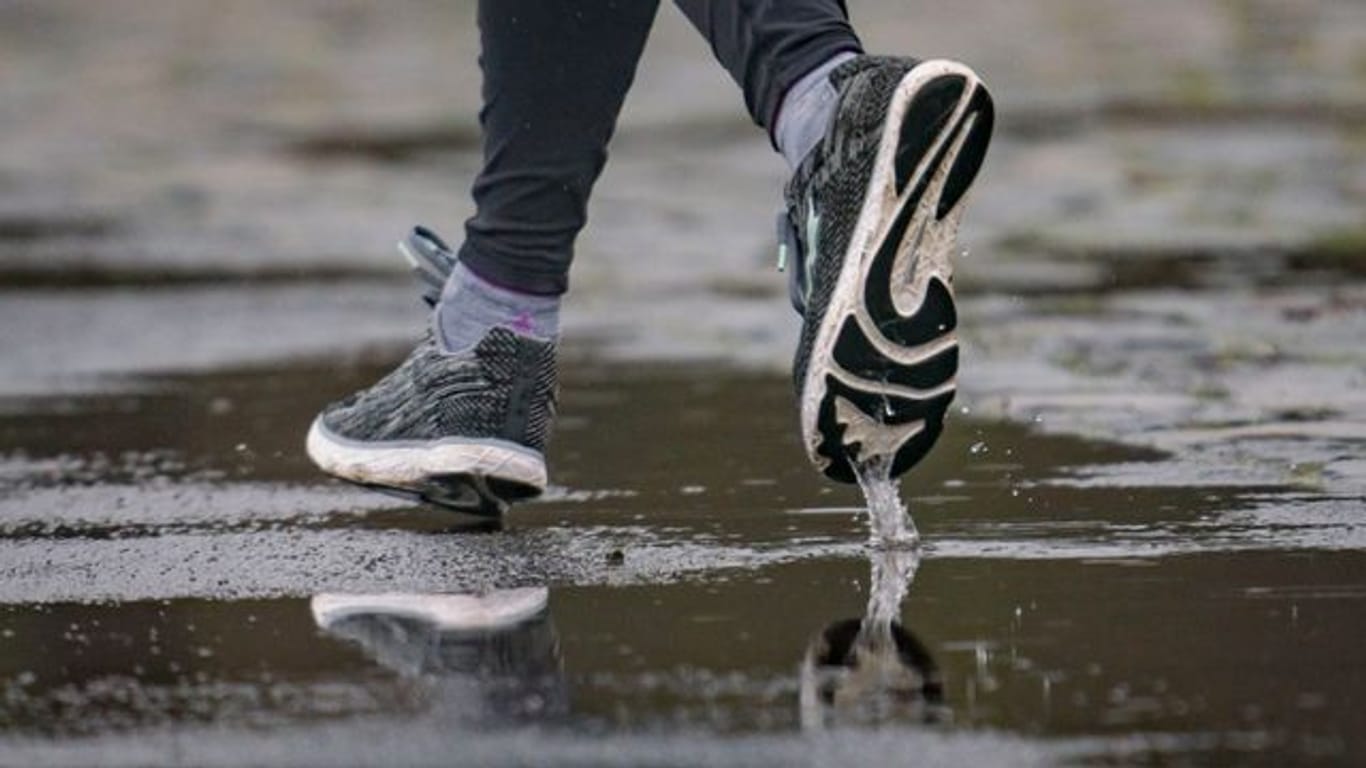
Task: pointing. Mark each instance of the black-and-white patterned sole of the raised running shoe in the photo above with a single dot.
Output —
(884, 360)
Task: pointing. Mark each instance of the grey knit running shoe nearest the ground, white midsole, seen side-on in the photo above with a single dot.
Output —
(465, 431)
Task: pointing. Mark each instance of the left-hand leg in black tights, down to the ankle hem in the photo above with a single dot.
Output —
(555, 77)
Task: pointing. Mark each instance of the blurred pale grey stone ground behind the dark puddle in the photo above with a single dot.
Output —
(1167, 245)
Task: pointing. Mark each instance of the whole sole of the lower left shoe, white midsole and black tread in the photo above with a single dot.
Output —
(480, 478)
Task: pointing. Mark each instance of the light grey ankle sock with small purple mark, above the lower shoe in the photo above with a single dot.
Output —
(471, 307)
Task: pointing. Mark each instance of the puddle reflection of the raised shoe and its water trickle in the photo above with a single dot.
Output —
(872, 670)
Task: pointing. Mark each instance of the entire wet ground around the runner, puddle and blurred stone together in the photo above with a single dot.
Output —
(1145, 527)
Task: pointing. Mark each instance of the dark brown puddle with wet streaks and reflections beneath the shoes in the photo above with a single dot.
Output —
(707, 599)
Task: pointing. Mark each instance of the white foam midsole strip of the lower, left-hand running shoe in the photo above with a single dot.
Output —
(410, 465)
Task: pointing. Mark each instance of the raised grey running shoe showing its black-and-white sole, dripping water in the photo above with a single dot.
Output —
(871, 225)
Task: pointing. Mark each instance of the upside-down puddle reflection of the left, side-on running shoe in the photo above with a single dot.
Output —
(487, 659)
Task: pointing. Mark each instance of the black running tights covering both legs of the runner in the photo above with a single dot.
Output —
(555, 77)
